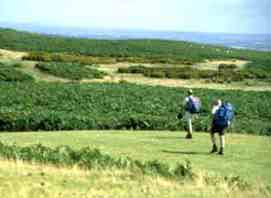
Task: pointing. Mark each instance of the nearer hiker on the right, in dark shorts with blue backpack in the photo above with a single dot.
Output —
(222, 117)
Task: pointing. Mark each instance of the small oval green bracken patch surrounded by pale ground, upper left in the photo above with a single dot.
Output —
(72, 71)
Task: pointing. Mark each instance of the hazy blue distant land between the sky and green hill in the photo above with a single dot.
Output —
(248, 41)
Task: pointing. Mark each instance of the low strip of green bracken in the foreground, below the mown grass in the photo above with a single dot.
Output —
(92, 158)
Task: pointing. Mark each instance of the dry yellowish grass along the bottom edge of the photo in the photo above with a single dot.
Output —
(23, 180)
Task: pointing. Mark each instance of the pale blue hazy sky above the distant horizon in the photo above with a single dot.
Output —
(227, 16)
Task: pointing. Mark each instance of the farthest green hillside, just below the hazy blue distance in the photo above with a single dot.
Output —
(156, 50)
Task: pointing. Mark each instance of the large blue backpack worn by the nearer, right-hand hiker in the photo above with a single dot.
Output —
(223, 115)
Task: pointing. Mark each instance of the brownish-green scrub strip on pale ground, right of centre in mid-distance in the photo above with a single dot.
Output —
(225, 73)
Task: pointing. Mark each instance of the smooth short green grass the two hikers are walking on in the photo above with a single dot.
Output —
(246, 156)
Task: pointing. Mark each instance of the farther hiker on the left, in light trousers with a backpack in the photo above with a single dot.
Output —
(192, 106)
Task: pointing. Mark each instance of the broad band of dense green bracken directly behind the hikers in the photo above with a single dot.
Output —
(54, 106)
